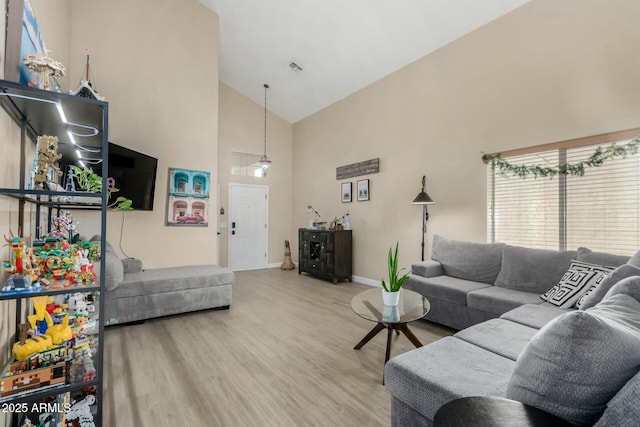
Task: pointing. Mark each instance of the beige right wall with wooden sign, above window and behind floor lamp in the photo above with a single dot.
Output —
(548, 71)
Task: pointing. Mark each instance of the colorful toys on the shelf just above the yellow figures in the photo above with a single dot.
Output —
(53, 263)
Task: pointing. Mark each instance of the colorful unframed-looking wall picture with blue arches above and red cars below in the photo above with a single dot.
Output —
(188, 198)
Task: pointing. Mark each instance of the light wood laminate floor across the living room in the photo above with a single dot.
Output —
(282, 355)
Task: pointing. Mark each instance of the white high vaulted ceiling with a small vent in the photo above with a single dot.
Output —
(341, 45)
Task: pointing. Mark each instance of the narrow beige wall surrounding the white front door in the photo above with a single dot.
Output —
(242, 129)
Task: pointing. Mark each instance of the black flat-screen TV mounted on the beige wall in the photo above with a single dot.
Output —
(134, 174)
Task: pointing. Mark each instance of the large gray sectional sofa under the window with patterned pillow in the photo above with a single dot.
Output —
(579, 364)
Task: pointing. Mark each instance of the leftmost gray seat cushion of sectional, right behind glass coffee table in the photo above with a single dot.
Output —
(444, 288)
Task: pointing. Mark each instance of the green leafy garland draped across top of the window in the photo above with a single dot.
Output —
(577, 169)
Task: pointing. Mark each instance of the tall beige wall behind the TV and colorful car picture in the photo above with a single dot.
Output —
(157, 65)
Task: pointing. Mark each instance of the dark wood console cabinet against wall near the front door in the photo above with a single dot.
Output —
(325, 253)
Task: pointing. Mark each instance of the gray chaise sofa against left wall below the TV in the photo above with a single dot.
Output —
(134, 294)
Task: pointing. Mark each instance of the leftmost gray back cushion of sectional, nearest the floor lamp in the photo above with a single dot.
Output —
(479, 262)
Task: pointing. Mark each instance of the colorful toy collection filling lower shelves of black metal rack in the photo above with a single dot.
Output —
(57, 343)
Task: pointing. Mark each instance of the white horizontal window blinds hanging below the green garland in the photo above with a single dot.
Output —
(600, 210)
